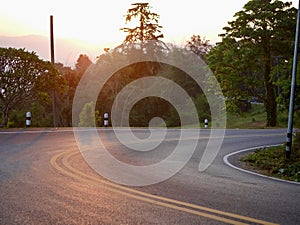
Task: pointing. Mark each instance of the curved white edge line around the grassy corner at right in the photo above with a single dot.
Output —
(225, 160)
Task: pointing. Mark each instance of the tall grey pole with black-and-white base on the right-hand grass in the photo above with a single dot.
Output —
(292, 94)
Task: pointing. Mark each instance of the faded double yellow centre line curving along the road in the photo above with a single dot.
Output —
(61, 163)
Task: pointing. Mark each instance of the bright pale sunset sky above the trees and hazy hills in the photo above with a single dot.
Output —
(98, 22)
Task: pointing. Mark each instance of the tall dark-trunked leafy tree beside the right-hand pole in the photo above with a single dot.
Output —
(266, 28)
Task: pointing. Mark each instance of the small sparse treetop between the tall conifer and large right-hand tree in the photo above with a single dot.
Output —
(200, 46)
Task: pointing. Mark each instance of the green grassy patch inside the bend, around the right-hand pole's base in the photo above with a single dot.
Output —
(272, 161)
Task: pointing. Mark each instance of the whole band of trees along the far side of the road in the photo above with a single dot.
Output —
(253, 61)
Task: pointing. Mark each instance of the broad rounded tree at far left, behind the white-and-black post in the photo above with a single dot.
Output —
(22, 76)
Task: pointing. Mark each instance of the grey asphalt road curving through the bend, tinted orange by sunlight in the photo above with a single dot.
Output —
(45, 180)
